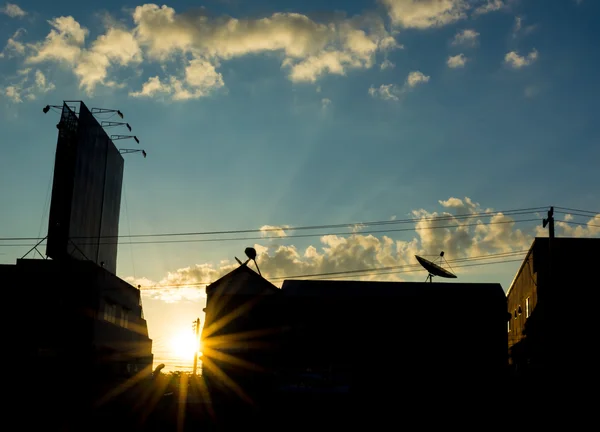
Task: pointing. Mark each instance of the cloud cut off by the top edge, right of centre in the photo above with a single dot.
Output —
(422, 14)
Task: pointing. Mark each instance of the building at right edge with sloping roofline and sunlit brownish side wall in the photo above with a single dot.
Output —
(553, 302)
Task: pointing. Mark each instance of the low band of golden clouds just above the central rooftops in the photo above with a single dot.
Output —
(448, 230)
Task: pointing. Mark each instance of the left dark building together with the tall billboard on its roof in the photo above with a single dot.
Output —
(77, 318)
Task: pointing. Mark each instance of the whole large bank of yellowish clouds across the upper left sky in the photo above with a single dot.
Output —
(198, 43)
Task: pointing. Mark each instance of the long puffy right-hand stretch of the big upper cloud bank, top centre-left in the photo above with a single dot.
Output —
(310, 49)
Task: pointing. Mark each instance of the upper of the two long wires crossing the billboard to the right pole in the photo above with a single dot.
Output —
(514, 212)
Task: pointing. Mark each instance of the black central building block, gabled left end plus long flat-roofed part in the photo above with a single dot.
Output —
(376, 343)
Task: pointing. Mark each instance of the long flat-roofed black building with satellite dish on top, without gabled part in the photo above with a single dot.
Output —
(381, 337)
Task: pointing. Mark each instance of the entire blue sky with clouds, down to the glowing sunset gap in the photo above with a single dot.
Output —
(268, 117)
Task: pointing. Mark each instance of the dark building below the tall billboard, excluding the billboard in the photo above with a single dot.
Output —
(84, 320)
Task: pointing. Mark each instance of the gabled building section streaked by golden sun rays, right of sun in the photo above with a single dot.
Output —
(240, 334)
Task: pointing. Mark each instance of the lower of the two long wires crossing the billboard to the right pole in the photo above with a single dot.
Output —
(223, 239)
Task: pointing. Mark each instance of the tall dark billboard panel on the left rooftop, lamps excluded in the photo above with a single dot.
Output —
(86, 192)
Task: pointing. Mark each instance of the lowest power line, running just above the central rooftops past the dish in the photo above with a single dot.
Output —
(370, 271)
